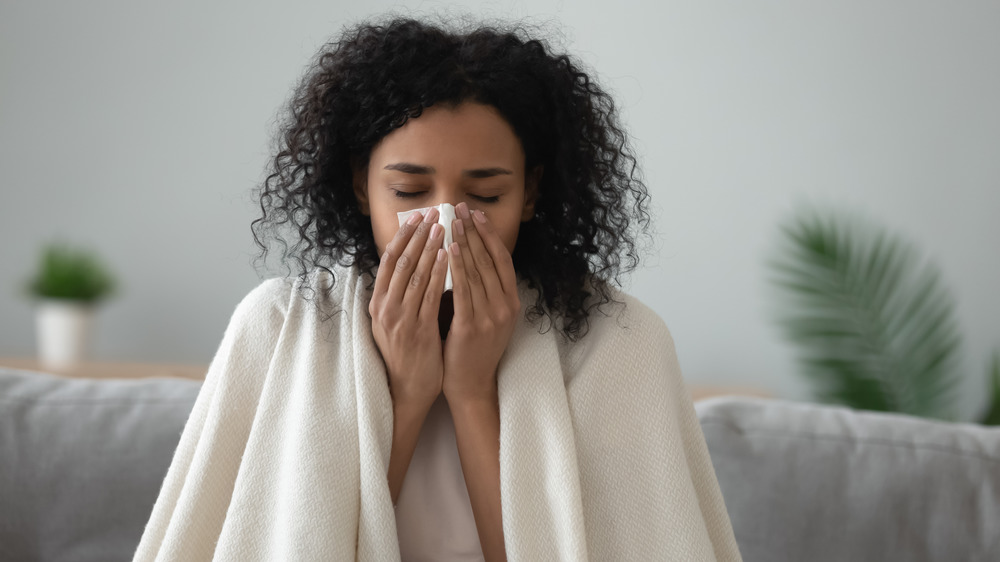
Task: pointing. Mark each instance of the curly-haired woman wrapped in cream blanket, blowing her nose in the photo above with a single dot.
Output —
(357, 410)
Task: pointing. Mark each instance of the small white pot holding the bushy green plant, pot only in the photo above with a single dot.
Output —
(63, 329)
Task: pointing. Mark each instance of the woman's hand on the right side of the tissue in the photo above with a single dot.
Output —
(486, 308)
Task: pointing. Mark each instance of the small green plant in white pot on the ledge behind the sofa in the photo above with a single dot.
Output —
(68, 286)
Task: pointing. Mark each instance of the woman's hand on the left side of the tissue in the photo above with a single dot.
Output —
(404, 310)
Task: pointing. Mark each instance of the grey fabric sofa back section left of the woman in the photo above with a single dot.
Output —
(82, 461)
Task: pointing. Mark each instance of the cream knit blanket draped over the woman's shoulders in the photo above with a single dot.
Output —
(286, 451)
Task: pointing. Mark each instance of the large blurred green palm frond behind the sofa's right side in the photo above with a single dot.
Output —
(874, 326)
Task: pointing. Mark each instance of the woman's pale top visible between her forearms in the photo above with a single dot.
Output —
(434, 517)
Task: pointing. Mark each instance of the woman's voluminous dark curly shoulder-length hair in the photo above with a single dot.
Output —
(592, 201)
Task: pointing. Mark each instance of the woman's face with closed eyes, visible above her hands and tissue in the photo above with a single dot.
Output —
(467, 153)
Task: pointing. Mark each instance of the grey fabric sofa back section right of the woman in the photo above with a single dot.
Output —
(826, 483)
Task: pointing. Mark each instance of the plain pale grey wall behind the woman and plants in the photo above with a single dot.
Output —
(140, 131)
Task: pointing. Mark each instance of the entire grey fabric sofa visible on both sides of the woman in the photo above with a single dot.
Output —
(81, 462)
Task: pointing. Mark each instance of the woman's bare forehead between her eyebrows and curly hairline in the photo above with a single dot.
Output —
(468, 135)
